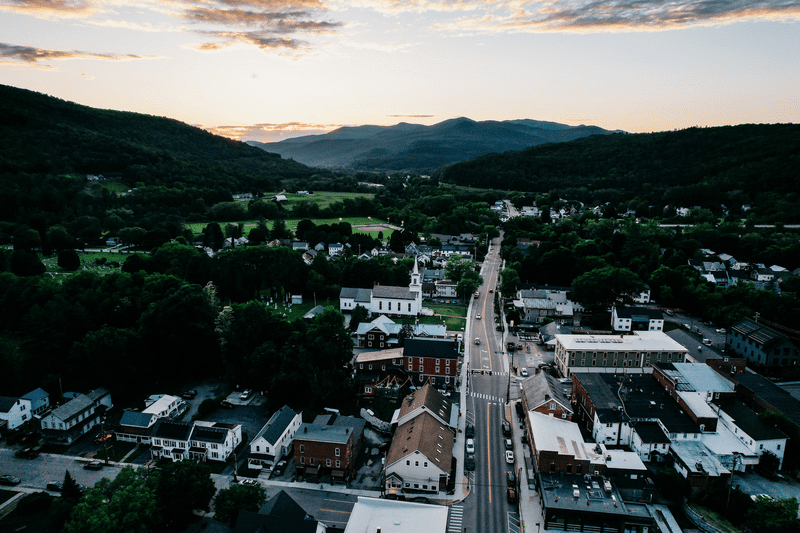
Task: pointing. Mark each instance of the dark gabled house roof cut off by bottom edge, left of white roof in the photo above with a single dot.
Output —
(281, 513)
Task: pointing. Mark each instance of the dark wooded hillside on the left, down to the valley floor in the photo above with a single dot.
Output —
(50, 145)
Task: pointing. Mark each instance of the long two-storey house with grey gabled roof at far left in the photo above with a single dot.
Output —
(70, 421)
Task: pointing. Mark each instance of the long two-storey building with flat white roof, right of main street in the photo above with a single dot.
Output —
(616, 353)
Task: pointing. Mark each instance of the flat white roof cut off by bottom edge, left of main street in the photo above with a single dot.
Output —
(393, 516)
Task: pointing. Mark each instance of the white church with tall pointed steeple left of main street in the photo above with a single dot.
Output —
(385, 299)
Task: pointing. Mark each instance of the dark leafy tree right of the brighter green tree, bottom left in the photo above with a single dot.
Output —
(183, 487)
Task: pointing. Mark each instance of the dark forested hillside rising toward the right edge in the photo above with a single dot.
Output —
(731, 166)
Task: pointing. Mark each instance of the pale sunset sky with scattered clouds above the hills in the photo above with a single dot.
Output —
(272, 69)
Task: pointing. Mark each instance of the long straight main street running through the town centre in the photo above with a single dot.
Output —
(486, 508)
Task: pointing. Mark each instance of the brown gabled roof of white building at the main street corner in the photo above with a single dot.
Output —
(426, 435)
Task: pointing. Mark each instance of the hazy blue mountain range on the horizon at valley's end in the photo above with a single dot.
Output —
(421, 148)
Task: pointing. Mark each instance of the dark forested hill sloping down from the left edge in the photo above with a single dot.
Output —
(43, 135)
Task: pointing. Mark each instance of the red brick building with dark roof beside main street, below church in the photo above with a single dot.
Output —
(431, 360)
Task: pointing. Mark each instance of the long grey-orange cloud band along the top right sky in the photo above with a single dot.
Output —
(620, 15)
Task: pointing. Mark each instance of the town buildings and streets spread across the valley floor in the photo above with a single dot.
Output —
(484, 404)
